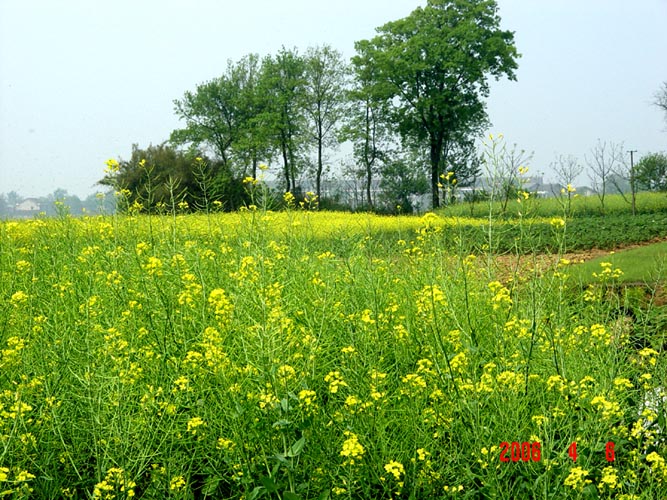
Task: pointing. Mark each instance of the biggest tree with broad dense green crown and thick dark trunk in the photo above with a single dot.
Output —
(437, 62)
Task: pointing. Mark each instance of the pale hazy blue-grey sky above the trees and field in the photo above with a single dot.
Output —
(82, 80)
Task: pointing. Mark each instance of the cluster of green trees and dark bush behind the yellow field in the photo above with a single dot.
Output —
(410, 103)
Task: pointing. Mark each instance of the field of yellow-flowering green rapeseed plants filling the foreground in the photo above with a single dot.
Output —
(300, 354)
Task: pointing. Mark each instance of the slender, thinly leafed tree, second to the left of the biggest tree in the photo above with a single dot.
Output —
(324, 100)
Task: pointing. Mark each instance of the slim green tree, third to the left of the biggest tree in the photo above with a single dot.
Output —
(283, 82)
